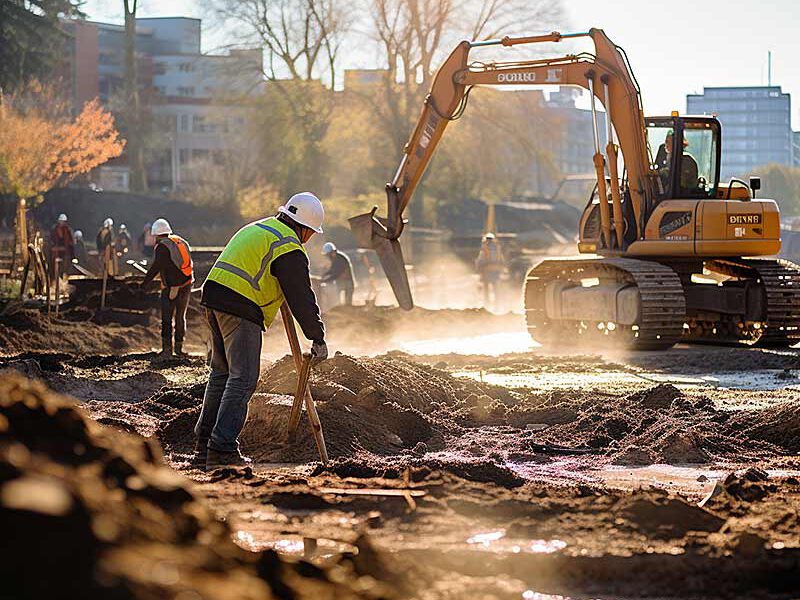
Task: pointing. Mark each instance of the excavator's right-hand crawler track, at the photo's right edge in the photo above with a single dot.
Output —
(780, 325)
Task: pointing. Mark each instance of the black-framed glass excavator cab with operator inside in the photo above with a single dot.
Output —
(686, 156)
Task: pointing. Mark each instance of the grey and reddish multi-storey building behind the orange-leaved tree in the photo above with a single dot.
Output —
(190, 95)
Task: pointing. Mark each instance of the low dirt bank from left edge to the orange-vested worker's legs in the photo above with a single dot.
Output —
(31, 330)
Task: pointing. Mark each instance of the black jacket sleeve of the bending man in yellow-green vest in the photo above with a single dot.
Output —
(291, 271)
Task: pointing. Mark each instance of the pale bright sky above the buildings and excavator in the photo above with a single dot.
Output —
(675, 48)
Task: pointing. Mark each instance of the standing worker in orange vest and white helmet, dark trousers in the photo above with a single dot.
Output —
(173, 264)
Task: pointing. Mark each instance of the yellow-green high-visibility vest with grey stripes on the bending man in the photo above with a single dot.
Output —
(244, 265)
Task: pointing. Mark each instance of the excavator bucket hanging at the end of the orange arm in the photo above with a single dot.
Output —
(370, 232)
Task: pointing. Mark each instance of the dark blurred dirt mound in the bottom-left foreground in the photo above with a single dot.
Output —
(96, 514)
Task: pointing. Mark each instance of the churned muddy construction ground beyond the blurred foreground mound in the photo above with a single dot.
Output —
(467, 461)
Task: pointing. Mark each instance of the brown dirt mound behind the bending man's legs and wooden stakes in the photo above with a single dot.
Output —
(382, 406)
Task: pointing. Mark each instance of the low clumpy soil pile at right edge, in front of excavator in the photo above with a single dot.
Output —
(662, 425)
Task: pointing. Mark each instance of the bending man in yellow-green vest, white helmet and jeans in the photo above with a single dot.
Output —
(262, 264)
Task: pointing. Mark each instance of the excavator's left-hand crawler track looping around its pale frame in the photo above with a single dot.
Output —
(662, 308)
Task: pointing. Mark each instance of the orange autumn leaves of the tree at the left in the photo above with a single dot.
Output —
(41, 148)
